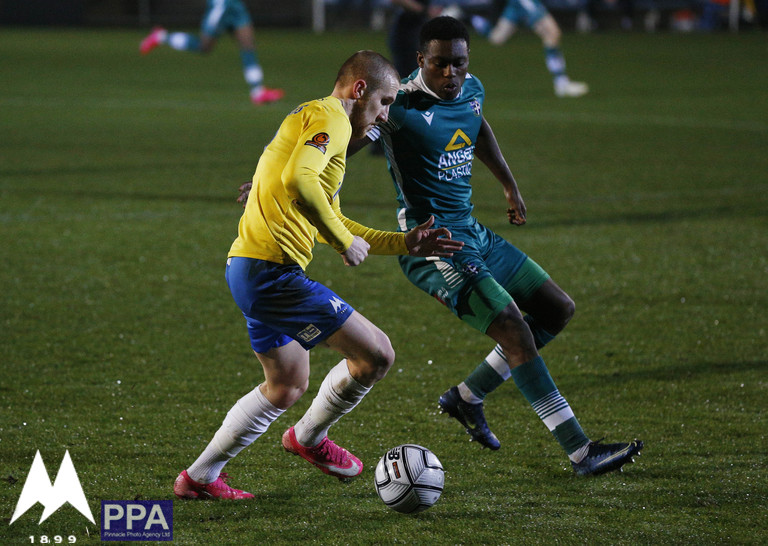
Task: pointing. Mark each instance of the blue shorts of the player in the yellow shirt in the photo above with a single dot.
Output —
(280, 303)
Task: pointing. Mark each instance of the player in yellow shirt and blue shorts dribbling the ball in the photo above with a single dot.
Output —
(293, 201)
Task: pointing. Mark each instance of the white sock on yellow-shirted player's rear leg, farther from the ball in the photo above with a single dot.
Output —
(248, 419)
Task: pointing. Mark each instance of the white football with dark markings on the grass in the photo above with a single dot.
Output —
(409, 478)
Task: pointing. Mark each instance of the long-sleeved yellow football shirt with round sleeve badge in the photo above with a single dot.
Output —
(295, 195)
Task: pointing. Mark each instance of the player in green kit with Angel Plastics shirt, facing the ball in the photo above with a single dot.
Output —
(435, 130)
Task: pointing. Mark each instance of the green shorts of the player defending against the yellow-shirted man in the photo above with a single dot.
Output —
(481, 279)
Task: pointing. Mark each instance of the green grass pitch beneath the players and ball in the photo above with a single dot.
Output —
(647, 202)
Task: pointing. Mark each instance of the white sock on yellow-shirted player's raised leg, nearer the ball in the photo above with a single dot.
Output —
(338, 395)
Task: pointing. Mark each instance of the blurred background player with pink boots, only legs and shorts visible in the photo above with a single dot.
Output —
(221, 16)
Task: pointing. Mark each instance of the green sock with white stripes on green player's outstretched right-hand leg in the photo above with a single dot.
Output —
(534, 381)
